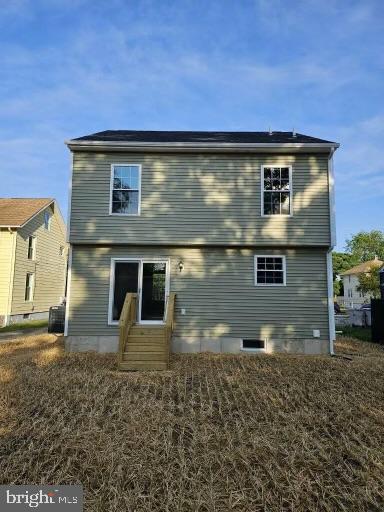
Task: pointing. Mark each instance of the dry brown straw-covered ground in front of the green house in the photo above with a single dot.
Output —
(216, 433)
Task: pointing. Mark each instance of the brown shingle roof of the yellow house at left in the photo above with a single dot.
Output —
(15, 212)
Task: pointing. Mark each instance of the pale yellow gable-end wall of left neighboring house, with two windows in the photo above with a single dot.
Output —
(49, 266)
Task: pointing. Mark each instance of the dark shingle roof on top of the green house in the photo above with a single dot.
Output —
(201, 137)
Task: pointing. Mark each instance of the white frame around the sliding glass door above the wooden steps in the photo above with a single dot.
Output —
(139, 260)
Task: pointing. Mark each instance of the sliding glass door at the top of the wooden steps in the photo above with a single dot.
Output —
(147, 278)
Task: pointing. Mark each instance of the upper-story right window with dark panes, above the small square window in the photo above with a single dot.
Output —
(276, 190)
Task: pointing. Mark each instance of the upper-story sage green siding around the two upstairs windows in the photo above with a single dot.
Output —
(206, 199)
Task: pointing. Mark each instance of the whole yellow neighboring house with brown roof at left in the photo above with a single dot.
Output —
(33, 258)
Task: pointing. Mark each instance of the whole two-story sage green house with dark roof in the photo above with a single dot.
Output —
(240, 225)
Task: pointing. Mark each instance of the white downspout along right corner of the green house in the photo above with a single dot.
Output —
(332, 226)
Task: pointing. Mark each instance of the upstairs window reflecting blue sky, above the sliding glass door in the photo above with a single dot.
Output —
(125, 189)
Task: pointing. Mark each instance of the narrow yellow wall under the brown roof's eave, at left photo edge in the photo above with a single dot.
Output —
(7, 251)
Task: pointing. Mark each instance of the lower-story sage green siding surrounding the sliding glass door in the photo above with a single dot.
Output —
(217, 290)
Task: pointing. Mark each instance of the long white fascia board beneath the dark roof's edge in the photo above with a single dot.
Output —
(75, 145)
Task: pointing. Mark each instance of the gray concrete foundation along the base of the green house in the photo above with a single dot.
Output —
(223, 345)
